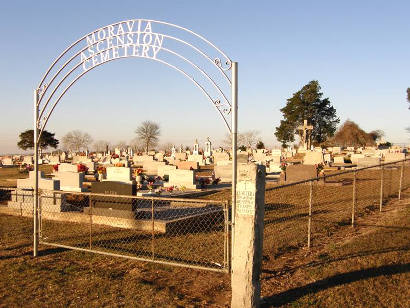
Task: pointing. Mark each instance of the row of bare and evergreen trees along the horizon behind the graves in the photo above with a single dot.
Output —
(306, 104)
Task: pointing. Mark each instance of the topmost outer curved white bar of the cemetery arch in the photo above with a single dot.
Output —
(125, 21)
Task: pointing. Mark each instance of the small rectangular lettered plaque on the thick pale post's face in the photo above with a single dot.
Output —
(245, 198)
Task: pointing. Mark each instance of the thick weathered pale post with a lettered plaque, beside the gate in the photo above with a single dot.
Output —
(248, 248)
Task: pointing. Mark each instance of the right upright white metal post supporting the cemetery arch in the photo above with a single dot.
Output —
(234, 135)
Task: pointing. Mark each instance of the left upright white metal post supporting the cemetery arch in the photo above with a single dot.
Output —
(35, 195)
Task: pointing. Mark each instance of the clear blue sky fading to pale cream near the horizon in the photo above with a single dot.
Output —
(358, 50)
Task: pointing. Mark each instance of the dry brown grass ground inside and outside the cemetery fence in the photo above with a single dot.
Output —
(366, 265)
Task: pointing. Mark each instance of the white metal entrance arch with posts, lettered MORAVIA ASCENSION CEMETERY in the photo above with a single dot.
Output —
(189, 53)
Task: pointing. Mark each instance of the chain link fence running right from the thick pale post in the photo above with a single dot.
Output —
(298, 214)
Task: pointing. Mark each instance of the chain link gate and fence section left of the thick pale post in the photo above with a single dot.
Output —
(184, 232)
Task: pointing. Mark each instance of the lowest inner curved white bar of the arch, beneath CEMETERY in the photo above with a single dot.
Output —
(123, 57)
